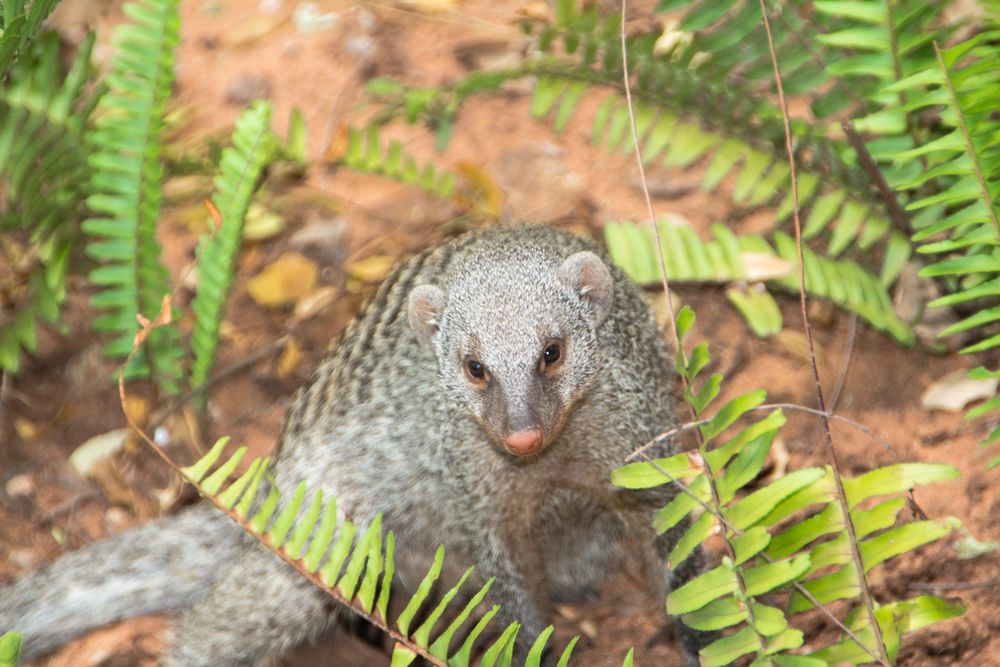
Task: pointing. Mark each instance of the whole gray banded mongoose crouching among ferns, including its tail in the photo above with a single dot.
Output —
(480, 400)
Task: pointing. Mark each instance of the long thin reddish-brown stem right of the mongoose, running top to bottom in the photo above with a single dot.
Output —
(827, 437)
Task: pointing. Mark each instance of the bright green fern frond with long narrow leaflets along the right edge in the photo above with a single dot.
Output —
(963, 164)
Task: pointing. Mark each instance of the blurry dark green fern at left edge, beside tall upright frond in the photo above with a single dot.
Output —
(43, 170)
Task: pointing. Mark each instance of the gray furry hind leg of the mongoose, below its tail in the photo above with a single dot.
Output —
(261, 609)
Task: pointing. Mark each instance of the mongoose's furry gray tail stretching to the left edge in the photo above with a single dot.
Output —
(162, 567)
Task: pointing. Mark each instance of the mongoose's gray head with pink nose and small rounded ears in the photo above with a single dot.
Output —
(515, 336)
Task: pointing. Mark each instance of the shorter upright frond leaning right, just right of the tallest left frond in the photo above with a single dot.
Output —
(240, 168)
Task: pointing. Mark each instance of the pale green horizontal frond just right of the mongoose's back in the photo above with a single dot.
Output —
(727, 257)
